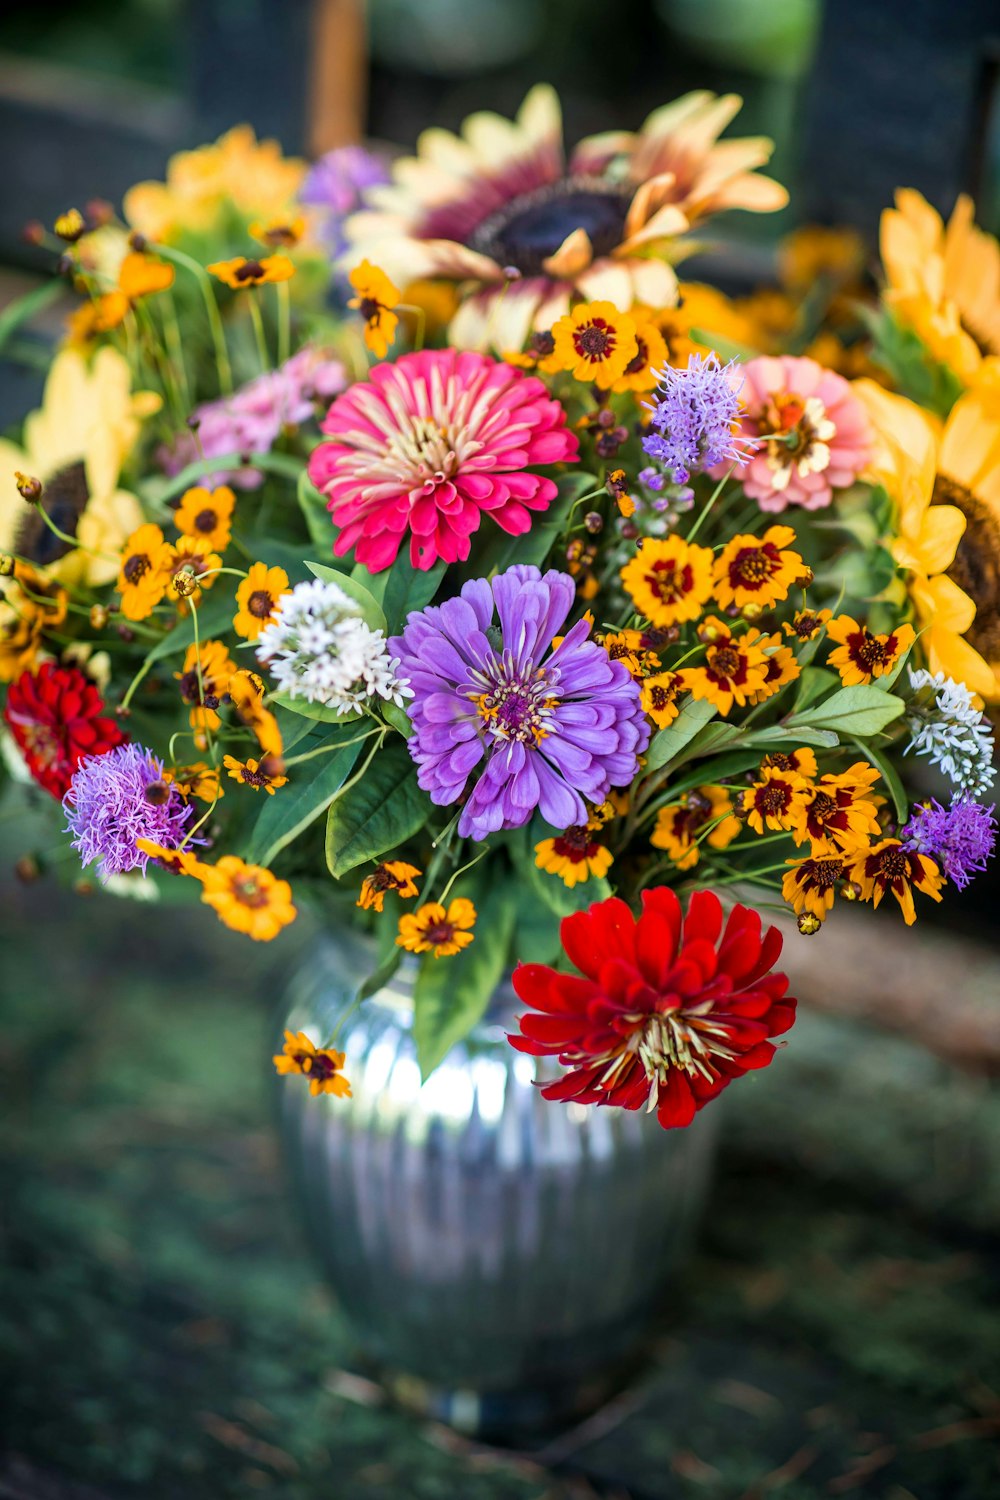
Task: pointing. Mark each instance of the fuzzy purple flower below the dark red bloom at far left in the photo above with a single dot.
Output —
(109, 809)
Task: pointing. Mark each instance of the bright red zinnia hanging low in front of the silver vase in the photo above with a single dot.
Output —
(666, 1015)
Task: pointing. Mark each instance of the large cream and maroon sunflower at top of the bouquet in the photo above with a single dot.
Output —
(501, 211)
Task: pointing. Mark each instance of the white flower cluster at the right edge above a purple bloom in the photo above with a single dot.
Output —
(948, 728)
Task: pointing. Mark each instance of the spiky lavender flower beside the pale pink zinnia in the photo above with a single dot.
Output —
(695, 416)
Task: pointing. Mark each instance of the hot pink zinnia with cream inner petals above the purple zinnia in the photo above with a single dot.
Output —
(431, 445)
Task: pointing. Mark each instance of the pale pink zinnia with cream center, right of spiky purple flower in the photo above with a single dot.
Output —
(813, 434)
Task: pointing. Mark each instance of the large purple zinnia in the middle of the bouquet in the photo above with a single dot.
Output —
(548, 728)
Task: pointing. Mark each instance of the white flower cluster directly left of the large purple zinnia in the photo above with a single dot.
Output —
(322, 650)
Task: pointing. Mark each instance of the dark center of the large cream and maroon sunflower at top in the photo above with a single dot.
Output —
(533, 227)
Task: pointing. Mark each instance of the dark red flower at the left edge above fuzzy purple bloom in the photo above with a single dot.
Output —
(58, 718)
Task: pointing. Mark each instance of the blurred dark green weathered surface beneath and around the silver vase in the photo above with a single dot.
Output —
(164, 1333)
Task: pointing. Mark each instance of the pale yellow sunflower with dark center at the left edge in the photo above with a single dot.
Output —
(77, 445)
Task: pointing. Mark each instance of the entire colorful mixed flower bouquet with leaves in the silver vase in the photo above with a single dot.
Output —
(407, 539)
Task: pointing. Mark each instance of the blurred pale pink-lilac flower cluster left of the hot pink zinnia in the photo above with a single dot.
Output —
(253, 419)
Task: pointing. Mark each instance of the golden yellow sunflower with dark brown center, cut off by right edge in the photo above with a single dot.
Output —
(945, 484)
